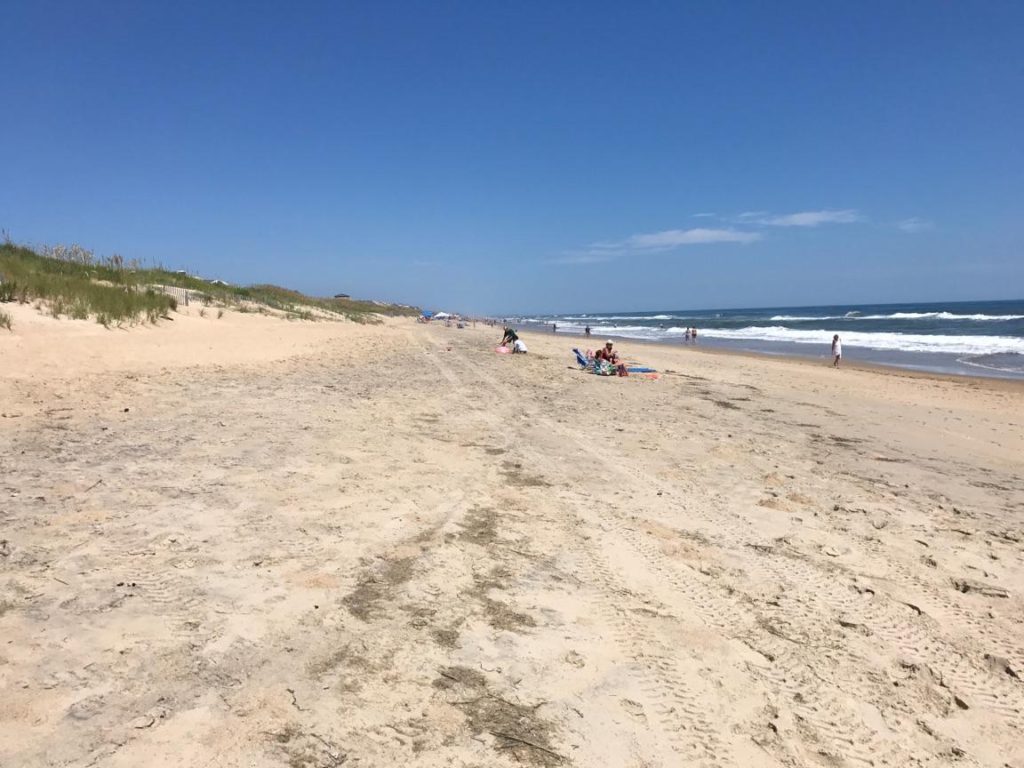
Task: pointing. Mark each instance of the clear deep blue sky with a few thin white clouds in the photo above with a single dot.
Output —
(529, 157)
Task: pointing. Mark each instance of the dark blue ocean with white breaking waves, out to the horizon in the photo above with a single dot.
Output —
(979, 338)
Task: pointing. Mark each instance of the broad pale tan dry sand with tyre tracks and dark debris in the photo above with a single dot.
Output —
(253, 543)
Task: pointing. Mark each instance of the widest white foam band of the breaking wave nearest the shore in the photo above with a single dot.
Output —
(894, 342)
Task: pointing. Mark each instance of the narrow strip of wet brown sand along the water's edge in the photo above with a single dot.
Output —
(998, 383)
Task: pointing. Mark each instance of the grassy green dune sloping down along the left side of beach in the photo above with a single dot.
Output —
(73, 282)
